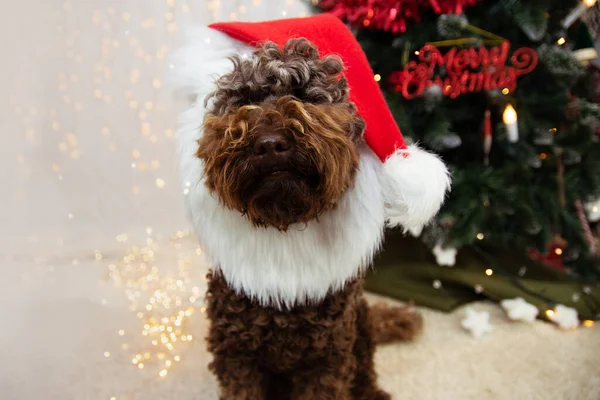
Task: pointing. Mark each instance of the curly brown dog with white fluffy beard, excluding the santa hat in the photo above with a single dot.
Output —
(286, 170)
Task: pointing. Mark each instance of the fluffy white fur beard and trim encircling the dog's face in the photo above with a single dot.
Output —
(277, 269)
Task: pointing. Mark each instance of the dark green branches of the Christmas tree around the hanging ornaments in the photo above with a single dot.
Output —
(514, 201)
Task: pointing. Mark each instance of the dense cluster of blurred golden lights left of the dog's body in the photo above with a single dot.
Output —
(162, 303)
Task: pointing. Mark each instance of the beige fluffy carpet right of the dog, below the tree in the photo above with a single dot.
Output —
(515, 361)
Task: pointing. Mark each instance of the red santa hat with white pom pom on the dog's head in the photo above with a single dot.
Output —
(414, 181)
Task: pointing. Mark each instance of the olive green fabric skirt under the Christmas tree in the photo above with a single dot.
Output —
(407, 270)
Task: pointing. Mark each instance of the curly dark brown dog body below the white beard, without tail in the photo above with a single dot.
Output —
(322, 351)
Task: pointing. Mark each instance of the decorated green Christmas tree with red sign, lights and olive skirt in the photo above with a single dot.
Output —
(504, 91)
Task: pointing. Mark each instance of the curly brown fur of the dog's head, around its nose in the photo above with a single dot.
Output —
(304, 99)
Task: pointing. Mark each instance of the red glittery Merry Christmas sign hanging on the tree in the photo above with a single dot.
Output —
(467, 70)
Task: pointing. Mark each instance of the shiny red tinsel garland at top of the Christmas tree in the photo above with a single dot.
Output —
(390, 15)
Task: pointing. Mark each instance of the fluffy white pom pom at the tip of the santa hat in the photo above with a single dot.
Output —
(415, 183)
